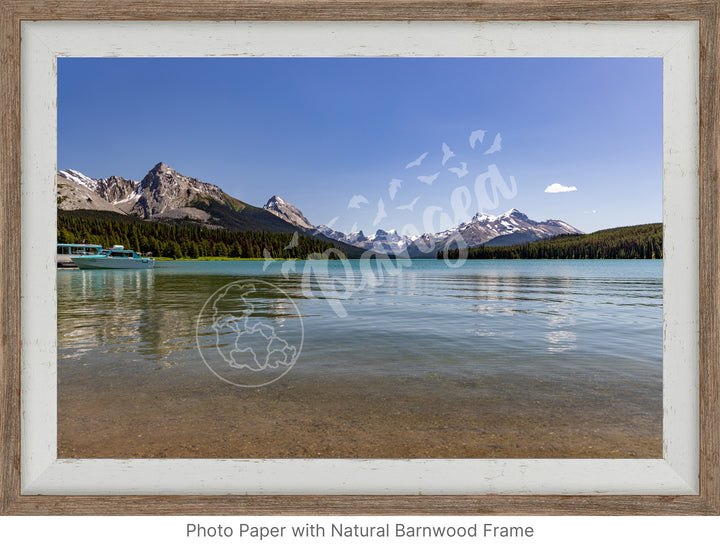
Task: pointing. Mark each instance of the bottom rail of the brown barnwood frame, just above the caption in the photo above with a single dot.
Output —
(361, 505)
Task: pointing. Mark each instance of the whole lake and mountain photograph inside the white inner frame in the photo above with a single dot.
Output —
(359, 258)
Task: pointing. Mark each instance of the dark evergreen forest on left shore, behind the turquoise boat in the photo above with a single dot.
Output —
(178, 241)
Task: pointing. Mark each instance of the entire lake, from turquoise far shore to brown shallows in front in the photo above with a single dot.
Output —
(520, 358)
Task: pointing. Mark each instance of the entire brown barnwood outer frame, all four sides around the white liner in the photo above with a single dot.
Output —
(705, 11)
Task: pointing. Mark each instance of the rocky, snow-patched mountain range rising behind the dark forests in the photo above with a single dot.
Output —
(165, 195)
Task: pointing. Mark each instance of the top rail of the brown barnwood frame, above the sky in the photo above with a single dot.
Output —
(358, 10)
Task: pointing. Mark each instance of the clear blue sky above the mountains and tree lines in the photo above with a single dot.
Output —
(319, 132)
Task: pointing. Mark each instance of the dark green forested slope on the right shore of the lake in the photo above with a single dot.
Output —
(628, 242)
